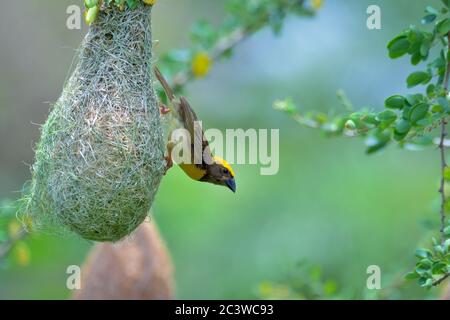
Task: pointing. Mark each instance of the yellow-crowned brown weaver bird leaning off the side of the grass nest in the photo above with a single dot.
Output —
(212, 169)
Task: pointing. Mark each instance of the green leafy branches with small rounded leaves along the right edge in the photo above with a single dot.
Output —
(413, 120)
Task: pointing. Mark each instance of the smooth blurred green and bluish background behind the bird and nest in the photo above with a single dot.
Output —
(330, 204)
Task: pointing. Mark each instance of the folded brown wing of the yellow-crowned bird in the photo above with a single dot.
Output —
(189, 119)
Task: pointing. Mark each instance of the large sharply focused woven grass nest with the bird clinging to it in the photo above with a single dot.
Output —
(99, 161)
